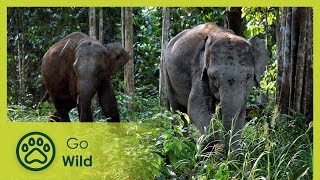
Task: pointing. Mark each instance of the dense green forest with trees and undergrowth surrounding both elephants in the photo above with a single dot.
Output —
(279, 112)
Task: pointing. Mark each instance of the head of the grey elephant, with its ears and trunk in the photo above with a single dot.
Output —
(232, 66)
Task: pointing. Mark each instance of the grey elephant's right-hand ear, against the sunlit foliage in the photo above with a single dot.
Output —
(261, 57)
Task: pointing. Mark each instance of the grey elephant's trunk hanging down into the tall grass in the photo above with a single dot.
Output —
(233, 115)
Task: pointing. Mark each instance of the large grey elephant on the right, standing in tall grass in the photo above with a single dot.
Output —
(208, 66)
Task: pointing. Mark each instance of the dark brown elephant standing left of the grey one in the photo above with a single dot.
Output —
(75, 69)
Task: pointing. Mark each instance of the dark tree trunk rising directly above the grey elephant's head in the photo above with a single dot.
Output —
(233, 20)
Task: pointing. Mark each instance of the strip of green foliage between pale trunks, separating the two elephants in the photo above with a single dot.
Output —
(147, 49)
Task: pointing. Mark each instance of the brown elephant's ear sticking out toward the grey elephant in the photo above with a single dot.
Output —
(117, 56)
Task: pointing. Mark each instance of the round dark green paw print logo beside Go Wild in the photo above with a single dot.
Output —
(35, 151)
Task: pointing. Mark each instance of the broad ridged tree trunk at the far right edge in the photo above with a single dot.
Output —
(294, 48)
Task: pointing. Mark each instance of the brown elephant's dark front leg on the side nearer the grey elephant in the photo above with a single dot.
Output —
(108, 102)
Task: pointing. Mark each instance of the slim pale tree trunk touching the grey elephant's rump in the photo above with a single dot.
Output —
(165, 36)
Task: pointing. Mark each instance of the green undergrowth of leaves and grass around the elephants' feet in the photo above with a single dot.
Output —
(272, 146)
